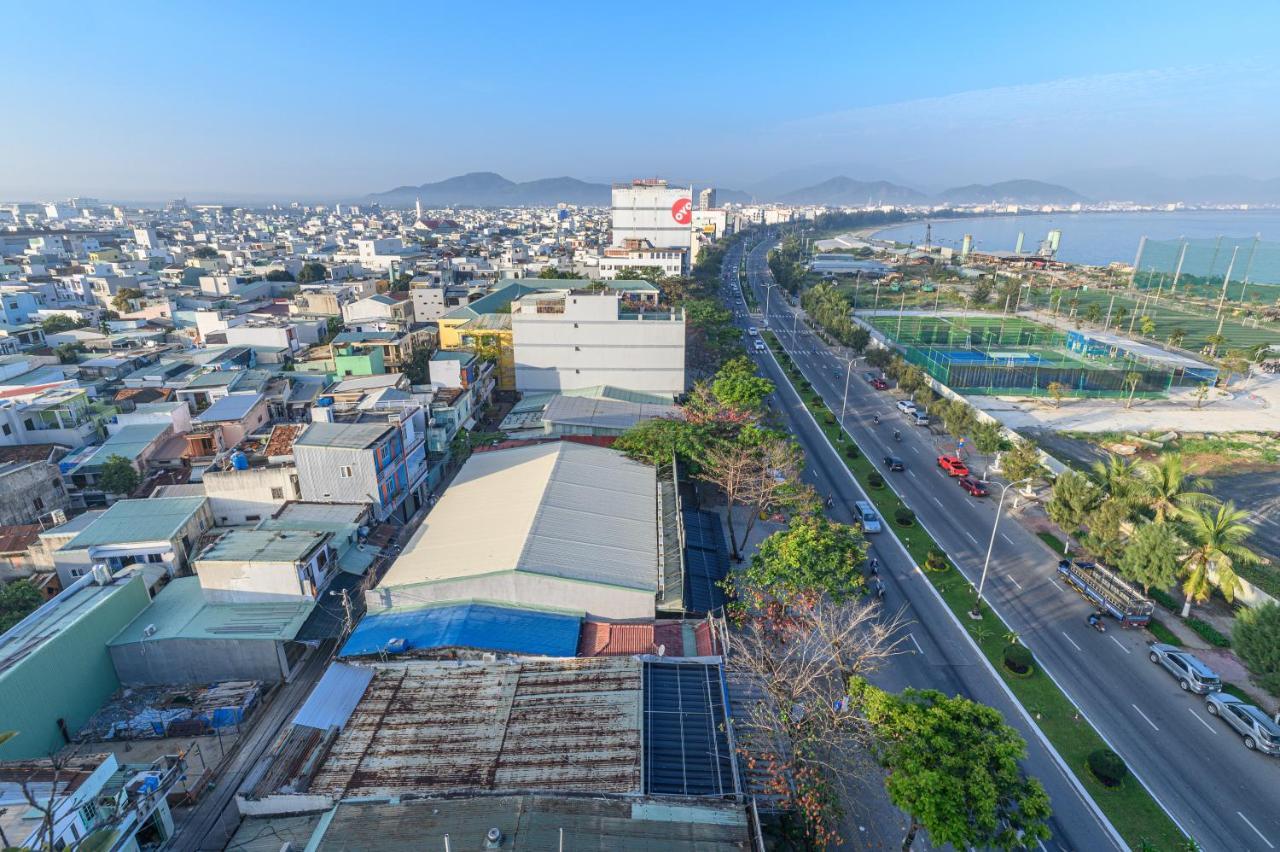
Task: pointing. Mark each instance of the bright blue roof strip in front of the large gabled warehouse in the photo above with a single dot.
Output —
(476, 626)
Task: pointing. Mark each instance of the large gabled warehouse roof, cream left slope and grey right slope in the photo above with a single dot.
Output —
(560, 509)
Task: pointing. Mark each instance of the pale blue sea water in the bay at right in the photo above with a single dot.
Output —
(1103, 239)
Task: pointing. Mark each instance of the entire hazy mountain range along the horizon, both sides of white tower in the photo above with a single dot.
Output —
(492, 190)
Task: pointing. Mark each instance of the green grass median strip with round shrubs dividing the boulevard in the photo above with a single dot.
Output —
(1132, 810)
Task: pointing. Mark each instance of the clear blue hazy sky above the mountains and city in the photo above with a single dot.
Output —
(319, 100)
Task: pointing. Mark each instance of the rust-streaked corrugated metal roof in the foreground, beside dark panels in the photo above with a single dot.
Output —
(429, 729)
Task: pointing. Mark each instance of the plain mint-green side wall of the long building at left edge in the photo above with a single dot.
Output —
(68, 677)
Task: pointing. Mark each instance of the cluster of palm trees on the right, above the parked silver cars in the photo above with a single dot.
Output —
(1212, 533)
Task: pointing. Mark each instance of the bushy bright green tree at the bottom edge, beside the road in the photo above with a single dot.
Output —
(954, 769)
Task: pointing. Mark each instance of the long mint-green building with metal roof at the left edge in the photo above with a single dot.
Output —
(54, 666)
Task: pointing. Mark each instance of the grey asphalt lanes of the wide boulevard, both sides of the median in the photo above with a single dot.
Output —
(1222, 794)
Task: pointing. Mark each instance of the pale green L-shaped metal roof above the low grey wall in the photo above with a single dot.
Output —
(181, 612)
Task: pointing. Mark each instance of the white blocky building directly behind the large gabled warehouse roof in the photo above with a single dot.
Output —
(572, 340)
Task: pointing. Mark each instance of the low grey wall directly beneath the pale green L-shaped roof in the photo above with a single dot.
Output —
(198, 661)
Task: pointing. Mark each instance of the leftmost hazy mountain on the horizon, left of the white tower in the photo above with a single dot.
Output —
(491, 190)
